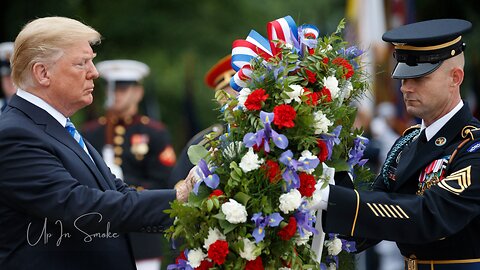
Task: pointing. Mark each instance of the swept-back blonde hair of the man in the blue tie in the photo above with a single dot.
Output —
(43, 40)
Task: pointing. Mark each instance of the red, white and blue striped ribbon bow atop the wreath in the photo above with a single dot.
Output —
(255, 45)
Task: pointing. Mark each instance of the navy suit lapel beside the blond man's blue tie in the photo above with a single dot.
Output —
(55, 130)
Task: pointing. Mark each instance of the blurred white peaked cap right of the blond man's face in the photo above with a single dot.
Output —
(122, 70)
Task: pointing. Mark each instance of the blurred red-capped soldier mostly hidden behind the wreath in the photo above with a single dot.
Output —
(217, 78)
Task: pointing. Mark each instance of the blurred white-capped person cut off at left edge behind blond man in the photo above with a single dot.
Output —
(6, 50)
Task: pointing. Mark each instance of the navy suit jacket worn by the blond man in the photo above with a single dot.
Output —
(60, 210)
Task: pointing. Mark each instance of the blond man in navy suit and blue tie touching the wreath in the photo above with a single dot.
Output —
(60, 206)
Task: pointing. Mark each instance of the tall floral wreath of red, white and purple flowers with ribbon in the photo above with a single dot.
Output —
(289, 130)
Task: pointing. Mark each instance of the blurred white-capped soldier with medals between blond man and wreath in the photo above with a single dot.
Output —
(133, 145)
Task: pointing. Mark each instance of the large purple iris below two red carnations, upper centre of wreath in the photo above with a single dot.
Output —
(265, 134)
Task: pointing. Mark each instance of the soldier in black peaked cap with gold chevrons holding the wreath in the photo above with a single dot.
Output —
(427, 195)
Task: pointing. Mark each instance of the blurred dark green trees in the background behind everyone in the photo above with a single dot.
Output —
(181, 40)
